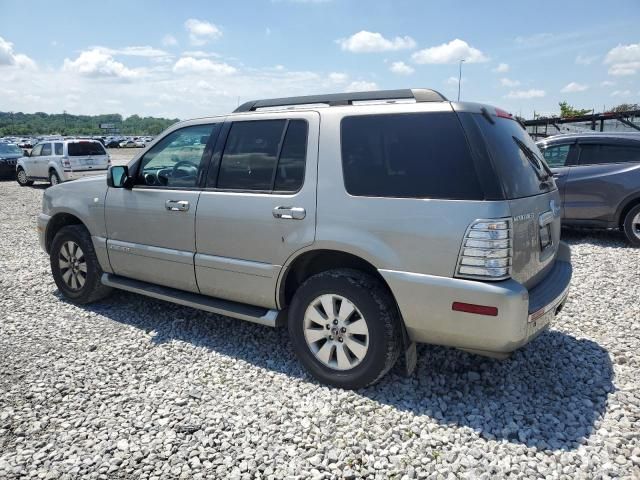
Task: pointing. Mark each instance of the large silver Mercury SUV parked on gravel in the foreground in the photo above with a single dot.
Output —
(366, 222)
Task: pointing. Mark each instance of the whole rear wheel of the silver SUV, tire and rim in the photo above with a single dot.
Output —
(372, 304)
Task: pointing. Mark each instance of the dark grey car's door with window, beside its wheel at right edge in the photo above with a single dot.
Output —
(594, 187)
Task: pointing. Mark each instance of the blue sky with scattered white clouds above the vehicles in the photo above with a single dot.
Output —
(186, 59)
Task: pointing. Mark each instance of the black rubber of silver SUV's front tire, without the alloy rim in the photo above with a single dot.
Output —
(92, 289)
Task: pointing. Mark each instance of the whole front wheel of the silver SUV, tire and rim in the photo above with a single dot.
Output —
(87, 286)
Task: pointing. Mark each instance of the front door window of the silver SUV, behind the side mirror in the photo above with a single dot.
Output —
(176, 160)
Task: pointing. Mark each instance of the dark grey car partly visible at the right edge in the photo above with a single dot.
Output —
(598, 175)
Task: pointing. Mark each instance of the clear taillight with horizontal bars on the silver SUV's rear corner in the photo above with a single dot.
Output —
(486, 250)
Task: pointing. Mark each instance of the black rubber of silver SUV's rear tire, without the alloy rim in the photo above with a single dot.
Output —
(377, 306)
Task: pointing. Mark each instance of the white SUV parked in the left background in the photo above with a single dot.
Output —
(61, 160)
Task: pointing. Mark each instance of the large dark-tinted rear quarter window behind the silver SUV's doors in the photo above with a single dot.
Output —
(414, 155)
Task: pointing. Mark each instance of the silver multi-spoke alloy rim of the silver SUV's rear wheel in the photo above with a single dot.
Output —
(336, 332)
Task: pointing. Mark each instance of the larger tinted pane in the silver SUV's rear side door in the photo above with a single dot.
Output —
(251, 155)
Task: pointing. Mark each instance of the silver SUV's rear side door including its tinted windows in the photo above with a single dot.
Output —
(259, 206)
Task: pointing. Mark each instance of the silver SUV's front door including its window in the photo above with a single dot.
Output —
(151, 227)
